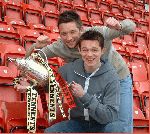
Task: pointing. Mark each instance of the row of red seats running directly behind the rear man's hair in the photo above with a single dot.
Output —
(30, 12)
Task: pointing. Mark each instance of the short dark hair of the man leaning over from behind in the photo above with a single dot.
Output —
(69, 16)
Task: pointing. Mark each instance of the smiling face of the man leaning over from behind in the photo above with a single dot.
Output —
(69, 33)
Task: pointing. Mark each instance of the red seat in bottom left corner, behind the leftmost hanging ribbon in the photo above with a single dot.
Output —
(15, 119)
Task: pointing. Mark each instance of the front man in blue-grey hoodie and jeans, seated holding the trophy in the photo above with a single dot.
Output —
(95, 87)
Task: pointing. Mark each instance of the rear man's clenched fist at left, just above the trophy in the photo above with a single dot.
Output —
(42, 41)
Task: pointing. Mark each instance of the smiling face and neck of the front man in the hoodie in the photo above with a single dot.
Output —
(91, 52)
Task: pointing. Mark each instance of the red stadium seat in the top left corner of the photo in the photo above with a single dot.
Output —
(13, 9)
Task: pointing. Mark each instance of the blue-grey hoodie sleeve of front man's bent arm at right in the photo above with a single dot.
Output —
(107, 110)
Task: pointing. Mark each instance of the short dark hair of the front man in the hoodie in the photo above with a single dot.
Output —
(91, 35)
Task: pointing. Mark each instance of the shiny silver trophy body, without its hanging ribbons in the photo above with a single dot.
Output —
(32, 69)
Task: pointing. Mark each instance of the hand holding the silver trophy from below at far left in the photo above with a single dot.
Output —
(22, 86)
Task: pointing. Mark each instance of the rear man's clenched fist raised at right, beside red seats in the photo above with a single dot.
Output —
(113, 23)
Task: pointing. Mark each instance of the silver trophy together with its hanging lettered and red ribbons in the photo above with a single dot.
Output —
(38, 72)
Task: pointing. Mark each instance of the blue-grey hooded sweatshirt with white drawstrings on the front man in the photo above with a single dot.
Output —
(102, 93)
